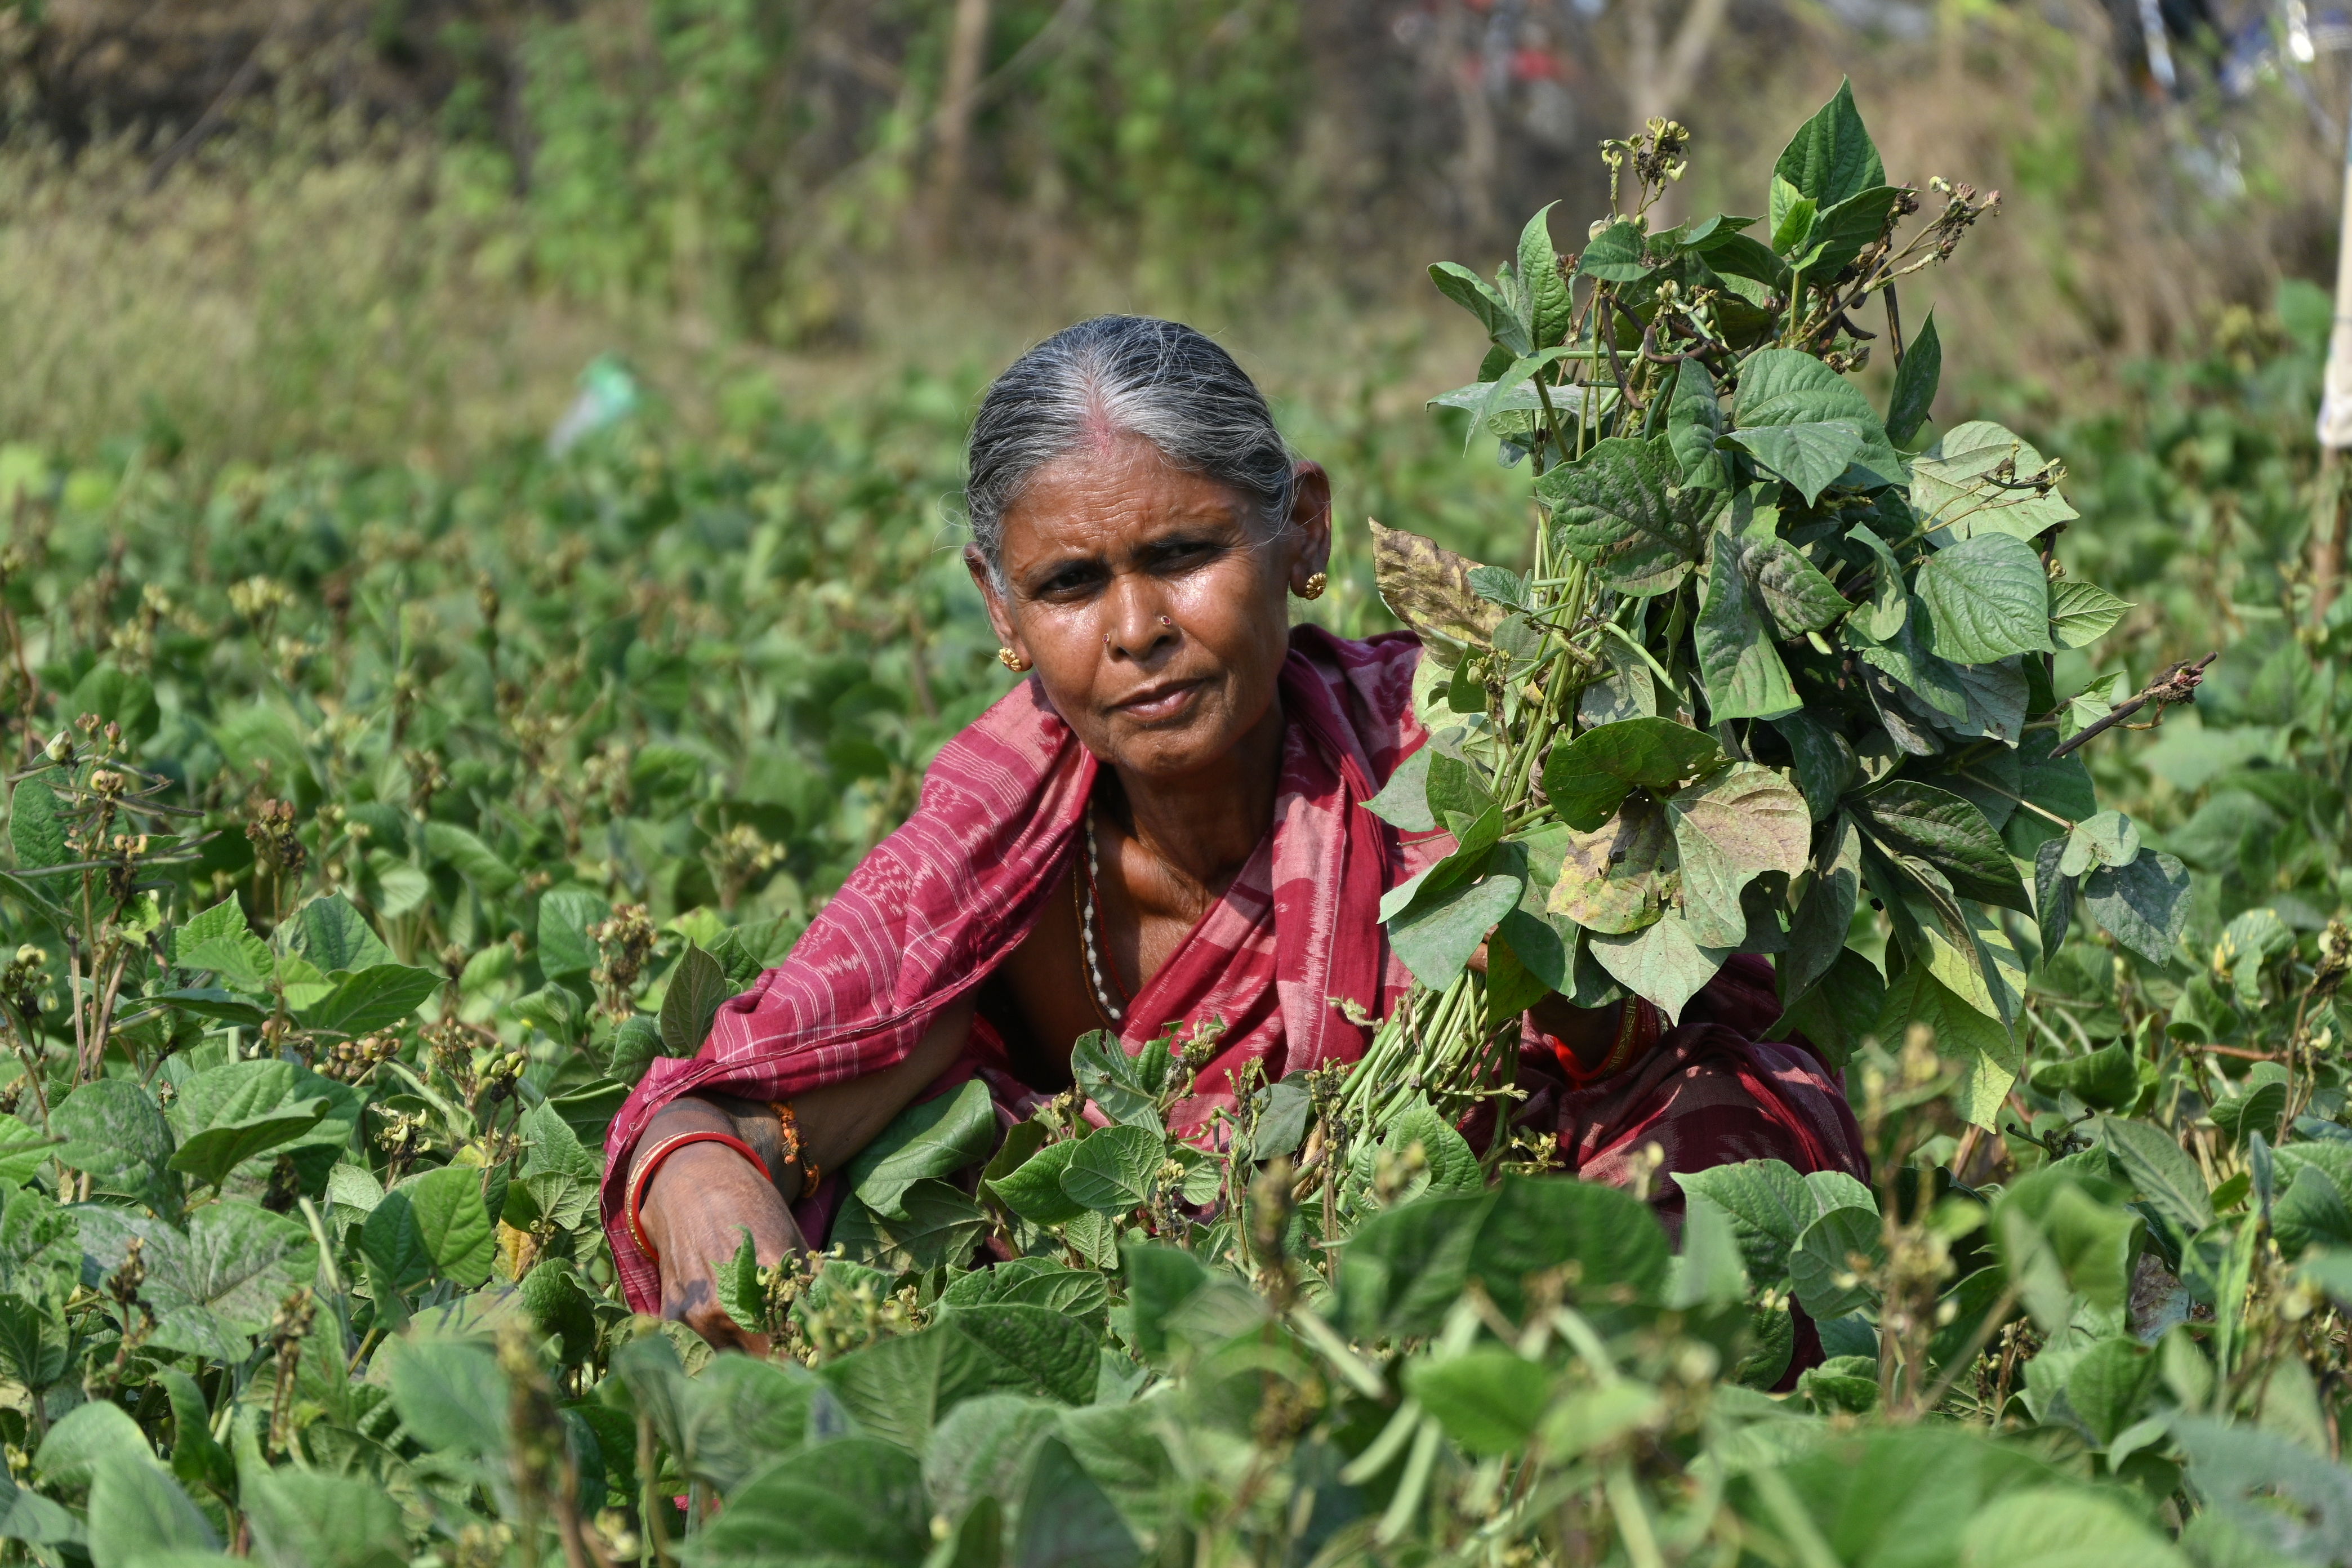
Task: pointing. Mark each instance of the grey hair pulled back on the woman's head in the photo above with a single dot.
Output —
(1125, 375)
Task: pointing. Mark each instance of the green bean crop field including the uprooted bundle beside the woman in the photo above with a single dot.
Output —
(368, 836)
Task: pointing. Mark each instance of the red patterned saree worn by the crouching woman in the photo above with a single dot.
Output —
(1285, 958)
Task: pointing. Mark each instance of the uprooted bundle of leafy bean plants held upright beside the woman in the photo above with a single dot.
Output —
(1765, 664)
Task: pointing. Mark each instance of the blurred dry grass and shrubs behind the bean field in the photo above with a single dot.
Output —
(399, 229)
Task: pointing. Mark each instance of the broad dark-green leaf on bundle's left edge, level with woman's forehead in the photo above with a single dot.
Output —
(1629, 514)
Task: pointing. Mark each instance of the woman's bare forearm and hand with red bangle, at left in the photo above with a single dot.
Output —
(704, 1195)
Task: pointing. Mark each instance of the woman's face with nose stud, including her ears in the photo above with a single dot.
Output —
(1151, 603)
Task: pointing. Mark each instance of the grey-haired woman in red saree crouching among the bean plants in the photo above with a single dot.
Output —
(1165, 824)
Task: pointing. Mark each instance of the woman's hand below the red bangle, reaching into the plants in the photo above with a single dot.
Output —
(695, 1214)
